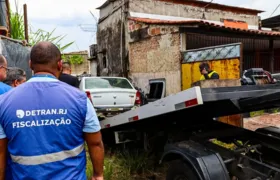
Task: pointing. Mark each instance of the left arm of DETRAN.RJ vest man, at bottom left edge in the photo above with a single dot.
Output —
(3, 153)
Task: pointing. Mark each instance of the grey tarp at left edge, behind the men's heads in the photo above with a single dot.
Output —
(16, 54)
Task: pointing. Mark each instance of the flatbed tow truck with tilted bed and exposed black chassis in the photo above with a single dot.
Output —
(183, 128)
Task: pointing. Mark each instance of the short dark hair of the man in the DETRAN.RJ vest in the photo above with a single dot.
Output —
(44, 53)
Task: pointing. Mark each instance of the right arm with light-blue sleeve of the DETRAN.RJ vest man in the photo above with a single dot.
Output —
(94, 141)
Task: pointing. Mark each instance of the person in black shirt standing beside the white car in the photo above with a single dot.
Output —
(66, 76)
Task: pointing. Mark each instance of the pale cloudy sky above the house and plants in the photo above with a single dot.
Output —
(72, 17)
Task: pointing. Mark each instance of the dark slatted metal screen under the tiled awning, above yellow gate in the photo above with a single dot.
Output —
(255, 51)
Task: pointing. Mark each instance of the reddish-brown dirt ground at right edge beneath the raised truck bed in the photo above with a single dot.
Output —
(265, 120)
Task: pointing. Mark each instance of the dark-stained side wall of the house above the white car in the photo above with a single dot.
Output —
(112, 40)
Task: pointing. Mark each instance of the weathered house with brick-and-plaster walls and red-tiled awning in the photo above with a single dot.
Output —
(144, 39)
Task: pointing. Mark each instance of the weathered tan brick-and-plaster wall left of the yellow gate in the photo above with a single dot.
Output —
(156, 57)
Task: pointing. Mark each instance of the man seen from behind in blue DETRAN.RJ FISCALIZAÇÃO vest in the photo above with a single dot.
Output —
(44, 123)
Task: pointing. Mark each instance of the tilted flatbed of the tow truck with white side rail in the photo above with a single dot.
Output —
(214, 102)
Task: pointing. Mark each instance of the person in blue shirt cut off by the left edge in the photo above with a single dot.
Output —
(3, 75)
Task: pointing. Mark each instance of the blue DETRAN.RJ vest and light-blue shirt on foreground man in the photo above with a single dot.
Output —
(20, 132)
